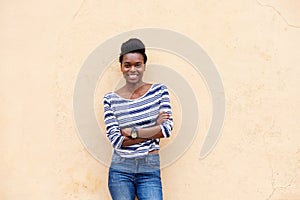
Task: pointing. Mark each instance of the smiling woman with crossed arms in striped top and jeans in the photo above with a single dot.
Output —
(136, 117)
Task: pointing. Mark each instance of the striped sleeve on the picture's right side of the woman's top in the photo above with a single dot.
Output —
(165, 106)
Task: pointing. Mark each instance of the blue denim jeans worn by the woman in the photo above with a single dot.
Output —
(130, 177)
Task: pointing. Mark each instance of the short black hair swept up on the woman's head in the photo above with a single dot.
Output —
(133, 45)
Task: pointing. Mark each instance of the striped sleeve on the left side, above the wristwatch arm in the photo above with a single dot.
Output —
(113, 131)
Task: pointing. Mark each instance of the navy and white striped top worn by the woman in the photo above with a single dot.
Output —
(142, 112)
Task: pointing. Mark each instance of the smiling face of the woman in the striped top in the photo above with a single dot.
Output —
(133, 67)
